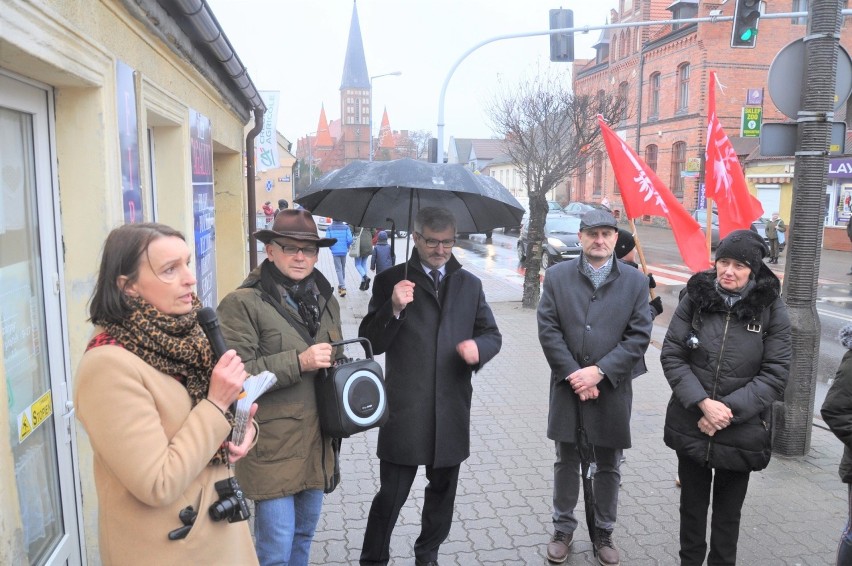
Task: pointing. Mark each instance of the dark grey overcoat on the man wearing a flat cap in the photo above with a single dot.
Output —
(580, 326)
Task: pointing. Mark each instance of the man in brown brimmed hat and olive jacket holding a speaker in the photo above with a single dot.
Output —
(282, 319)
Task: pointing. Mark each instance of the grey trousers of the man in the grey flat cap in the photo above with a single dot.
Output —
(566, 486)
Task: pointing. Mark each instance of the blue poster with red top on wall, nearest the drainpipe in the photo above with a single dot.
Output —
(203, 208)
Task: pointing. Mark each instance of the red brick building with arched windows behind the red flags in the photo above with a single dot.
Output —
(664, 72)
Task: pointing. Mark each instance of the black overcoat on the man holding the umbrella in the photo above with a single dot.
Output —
(428, 384)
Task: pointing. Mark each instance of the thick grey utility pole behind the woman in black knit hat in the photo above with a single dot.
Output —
(794, 417)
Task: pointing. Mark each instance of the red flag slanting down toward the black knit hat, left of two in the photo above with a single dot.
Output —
(644, 194)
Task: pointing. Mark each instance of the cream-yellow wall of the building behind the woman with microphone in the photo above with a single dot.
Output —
(72, 47)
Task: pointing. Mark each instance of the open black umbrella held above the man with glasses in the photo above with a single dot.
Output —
(367, 193)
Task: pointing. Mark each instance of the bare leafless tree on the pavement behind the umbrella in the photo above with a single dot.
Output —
(549, 132)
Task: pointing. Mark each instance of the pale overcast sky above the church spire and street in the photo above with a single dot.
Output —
(298, 47)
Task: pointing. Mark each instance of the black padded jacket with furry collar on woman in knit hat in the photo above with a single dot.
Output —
(742, 359)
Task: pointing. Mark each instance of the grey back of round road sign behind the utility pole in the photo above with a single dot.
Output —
(787, 73)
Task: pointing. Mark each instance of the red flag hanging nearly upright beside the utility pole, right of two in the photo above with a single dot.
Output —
(724, 177)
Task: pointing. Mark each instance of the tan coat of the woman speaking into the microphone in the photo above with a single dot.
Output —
(151, 452)
